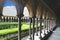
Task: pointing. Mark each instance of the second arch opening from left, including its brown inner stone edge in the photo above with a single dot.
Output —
(27, 12)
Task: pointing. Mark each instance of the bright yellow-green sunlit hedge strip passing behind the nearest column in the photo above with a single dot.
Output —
(13, 30)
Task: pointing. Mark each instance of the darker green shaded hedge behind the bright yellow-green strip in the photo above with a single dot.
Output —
(8, 25)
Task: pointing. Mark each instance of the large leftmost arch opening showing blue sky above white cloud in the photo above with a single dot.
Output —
(9, 9)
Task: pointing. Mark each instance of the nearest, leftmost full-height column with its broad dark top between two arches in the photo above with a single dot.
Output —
(20, 15)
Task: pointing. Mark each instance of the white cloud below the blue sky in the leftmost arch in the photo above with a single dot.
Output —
(9, 11)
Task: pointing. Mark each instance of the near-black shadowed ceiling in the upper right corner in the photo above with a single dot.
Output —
(55, 5)
